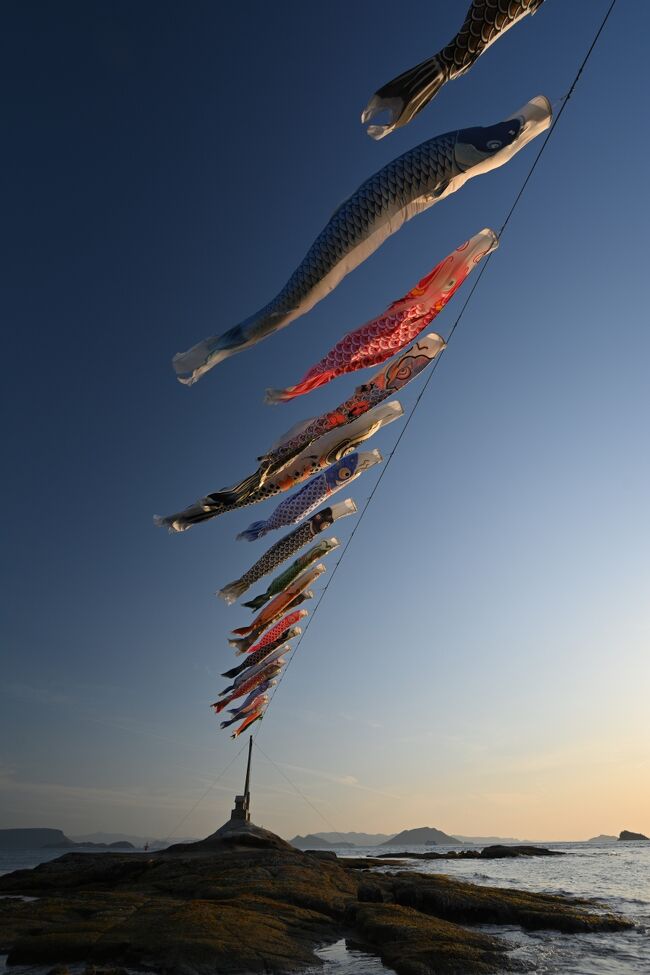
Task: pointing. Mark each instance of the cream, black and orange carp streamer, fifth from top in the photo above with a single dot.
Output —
(331, 447)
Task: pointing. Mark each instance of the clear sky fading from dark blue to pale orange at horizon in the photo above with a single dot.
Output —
(480, 660)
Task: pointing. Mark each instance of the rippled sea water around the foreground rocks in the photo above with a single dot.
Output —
(616, 876)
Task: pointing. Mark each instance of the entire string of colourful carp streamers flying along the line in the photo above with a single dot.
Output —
(322, 451)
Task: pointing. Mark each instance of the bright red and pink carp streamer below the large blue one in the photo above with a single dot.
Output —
(402, 321)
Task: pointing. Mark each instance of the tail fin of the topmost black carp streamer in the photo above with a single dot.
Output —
(404, 96)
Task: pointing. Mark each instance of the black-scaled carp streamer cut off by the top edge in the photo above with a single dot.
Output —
(405, 96)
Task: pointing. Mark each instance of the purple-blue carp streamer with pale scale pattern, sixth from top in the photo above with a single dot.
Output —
(296, 507)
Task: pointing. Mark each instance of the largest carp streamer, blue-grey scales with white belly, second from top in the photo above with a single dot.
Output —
(405, 187)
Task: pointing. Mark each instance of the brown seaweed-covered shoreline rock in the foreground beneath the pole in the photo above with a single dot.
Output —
(245, 901)
